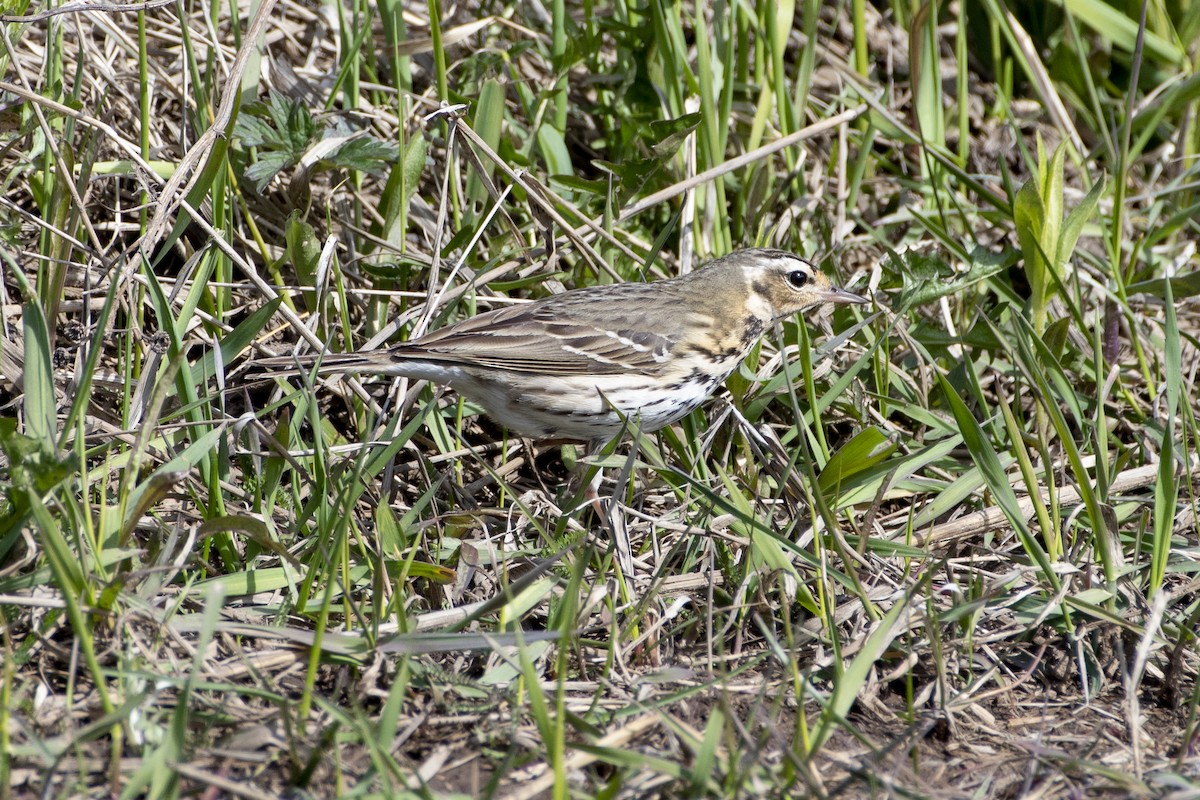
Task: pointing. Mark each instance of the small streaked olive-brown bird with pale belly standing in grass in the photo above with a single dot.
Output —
(579, 365)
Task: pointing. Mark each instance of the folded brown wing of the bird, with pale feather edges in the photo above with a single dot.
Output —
(590, 334)
